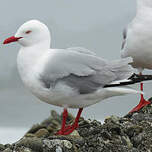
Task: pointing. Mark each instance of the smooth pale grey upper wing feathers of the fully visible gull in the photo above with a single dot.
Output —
(64, 62)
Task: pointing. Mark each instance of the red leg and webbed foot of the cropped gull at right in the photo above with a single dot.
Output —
(142, 102)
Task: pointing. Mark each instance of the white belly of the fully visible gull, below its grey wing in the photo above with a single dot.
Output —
(64, 96)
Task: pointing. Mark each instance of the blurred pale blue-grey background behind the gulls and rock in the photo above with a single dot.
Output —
(96, 25)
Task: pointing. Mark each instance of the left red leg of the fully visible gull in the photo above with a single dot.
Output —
(62, 130)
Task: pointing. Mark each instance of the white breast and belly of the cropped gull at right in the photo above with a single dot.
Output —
(139, 43)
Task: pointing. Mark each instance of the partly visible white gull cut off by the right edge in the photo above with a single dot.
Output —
(137, 42)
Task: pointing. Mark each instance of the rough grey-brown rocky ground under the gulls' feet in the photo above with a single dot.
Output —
(131, 133)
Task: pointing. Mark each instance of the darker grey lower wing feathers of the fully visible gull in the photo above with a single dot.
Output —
(90, 83)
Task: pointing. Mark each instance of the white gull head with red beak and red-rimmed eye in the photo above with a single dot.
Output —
(31, 33)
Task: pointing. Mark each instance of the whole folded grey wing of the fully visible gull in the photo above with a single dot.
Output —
(82, 72)
